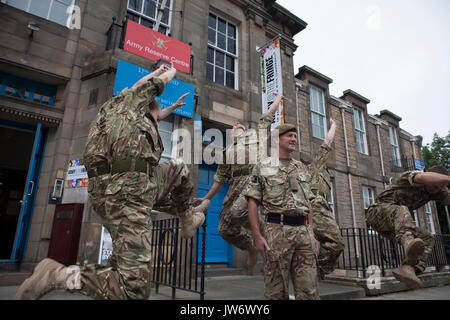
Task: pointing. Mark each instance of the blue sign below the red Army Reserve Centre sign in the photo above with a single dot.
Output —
(128, 74)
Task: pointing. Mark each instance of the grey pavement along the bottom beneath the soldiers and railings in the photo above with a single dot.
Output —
(244, 287)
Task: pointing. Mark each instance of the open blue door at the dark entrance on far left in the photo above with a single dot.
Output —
(31, 186)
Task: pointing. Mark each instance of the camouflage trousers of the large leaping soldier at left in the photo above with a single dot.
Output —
(125, 209)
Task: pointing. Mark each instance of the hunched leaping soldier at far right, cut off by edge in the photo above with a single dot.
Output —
(390, 216)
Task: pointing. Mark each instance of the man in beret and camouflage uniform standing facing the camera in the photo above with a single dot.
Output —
(287, 247)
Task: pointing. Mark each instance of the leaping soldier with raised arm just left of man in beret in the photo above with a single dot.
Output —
(234, 226)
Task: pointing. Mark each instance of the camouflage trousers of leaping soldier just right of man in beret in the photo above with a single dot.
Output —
(327, 232)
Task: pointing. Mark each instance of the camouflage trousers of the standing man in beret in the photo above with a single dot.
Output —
(291, 257)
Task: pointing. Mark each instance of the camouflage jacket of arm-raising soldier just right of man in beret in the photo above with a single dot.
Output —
(320, 177)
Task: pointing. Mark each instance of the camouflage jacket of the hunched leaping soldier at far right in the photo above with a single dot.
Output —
(405, 192)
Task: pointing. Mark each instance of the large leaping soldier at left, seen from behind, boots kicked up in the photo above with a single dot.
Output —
(121, 156)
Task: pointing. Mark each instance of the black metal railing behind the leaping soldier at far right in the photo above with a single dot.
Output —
(365, 248)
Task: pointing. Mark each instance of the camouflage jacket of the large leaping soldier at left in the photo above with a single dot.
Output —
(123, 128)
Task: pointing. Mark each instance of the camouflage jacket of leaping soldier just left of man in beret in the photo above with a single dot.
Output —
(242, 145)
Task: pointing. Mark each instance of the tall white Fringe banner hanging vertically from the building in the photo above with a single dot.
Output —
(271, 78)
